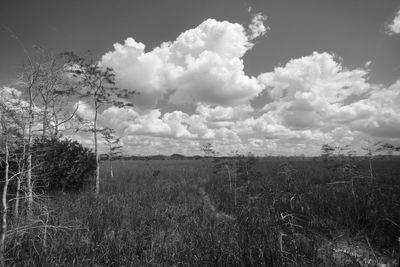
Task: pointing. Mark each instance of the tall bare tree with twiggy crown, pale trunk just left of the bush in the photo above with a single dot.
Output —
(42, 82)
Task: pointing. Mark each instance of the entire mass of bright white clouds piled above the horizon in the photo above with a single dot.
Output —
(309, 101)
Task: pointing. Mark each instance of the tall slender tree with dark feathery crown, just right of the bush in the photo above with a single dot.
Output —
(97, 84)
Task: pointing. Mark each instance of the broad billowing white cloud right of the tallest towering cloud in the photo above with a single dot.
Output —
(318, 100)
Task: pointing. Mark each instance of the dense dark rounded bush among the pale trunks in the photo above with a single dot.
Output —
(62, 164)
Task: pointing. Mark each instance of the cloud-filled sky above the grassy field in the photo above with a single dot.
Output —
(267, 77)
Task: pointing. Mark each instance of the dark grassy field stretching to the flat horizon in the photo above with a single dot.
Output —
(234, 212)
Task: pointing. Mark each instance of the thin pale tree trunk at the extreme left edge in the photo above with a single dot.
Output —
(4, 200)
